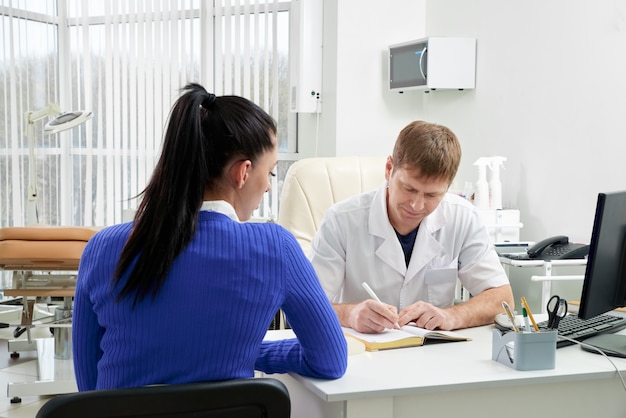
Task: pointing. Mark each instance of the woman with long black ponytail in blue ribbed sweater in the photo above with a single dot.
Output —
(186, 291)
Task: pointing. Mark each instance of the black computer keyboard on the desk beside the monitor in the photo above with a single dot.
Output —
(580, 329)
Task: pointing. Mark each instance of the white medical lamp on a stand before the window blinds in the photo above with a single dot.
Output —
(61, 122)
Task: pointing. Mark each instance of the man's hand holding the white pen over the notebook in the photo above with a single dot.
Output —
(369, 316)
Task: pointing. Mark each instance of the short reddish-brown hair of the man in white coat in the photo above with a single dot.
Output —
(432, 149)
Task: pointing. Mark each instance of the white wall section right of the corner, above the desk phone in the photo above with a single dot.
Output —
(550, 96)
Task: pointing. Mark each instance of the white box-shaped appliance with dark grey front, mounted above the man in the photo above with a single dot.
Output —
(433, 63)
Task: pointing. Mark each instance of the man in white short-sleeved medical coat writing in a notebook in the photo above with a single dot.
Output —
(410, 240)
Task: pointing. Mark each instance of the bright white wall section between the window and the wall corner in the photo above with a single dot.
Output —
(359, 115)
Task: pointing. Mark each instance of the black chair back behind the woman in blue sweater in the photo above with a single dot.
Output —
(238, 398)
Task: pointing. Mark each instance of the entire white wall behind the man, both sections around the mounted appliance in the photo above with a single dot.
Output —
(550, 96)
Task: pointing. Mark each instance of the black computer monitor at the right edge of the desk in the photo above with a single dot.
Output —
(604, 287)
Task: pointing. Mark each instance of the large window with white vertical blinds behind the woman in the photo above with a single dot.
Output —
(125, 61)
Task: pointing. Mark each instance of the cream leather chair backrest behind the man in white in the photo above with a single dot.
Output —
(312, 185)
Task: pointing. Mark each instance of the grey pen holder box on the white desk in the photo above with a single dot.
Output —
(525, 350)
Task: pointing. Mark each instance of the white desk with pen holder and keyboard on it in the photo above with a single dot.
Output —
(460, 380)
